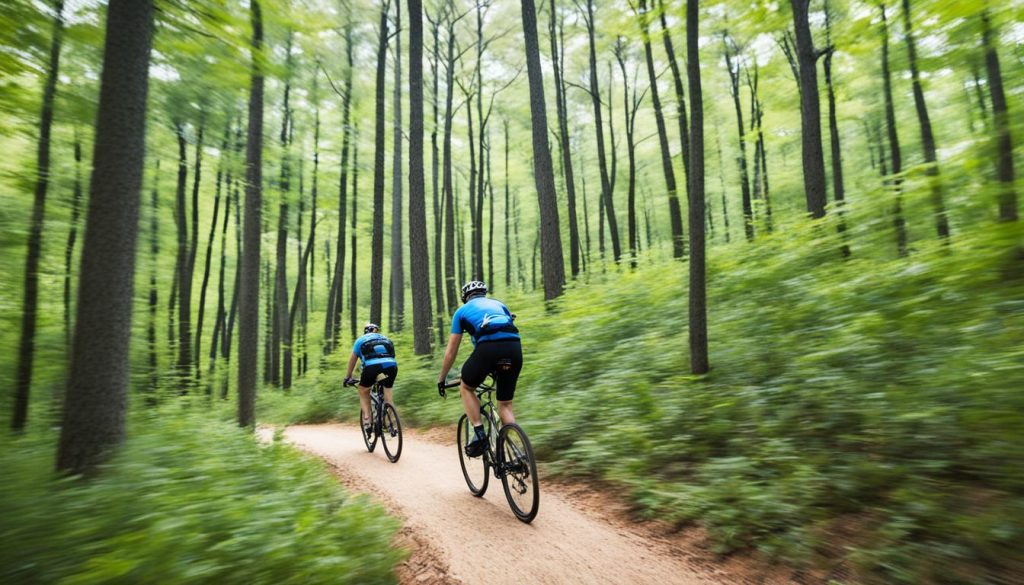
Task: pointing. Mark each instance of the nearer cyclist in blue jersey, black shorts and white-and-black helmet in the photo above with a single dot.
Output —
(497, 350)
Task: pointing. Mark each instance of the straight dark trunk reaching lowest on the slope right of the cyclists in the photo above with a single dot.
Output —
(698, 298)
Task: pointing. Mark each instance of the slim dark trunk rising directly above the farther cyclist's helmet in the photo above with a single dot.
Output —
(377, 246)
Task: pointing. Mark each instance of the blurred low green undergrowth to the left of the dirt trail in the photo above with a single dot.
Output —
(189, 500)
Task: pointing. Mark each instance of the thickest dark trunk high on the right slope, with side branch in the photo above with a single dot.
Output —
(810, 111)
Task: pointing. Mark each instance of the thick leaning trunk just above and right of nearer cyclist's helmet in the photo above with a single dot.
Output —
(552, 263)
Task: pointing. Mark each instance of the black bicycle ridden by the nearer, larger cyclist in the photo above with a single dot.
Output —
(509, 455)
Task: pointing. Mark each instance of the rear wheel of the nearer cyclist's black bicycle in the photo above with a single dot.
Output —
(516, 459)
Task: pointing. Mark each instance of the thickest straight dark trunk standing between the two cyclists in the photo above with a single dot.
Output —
(417, 188)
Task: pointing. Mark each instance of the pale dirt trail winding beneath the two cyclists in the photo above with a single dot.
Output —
(458, 538)
